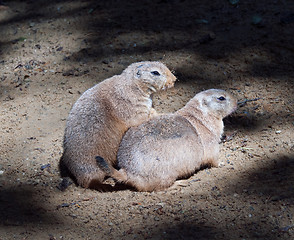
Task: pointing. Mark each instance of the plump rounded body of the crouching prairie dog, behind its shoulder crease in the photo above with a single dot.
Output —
(151, 154)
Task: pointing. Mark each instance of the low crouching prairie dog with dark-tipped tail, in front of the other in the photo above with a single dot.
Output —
(153, 155)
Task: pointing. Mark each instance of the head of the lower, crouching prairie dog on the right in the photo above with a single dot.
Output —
(216, 102)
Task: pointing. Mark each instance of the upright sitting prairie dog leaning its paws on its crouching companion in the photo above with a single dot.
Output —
(100, 117)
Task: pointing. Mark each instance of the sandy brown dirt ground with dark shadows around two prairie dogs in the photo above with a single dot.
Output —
(52, 51)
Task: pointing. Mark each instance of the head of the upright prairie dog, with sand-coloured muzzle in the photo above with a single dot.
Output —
(153, 75)
